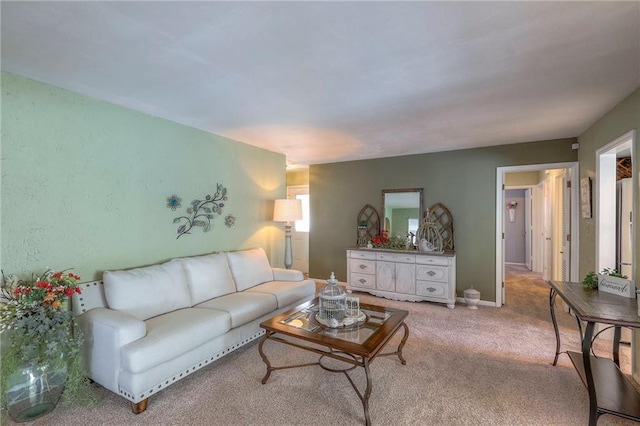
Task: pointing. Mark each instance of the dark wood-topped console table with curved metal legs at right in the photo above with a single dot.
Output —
(610, 391)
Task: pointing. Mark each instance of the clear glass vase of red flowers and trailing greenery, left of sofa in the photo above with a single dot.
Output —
(44, 354)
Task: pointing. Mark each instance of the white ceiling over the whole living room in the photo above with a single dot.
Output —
(335, 81)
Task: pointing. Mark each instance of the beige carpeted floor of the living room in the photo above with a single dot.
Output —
(464, 367)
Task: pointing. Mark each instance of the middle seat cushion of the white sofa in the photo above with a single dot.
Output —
(243, 307)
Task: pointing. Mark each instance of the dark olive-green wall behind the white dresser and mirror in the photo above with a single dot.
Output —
(464, 181)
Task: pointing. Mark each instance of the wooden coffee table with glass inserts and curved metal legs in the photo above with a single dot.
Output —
(357, 345)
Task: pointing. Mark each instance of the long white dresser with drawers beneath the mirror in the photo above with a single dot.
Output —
(398, 275)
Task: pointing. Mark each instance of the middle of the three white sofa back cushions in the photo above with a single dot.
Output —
(207, 276)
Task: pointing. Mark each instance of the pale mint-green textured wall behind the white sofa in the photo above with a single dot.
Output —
(84, 185)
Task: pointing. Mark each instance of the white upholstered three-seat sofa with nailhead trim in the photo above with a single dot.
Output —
(149, 327)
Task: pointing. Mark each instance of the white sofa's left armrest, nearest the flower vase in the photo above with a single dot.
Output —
(106, 331)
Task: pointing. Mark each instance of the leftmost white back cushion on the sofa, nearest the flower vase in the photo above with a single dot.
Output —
(149, 291)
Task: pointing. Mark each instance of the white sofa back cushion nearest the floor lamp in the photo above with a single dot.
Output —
(249, 267)
